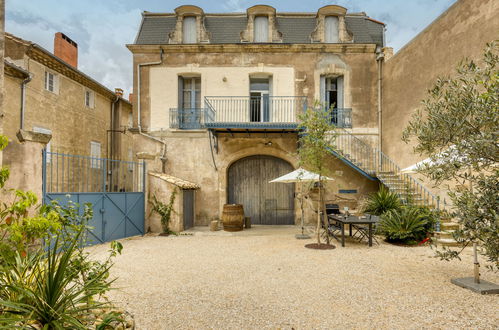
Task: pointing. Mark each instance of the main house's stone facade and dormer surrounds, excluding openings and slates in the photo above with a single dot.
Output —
(225, 70)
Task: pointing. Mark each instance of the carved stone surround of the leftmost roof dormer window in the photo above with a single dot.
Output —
(202, 36)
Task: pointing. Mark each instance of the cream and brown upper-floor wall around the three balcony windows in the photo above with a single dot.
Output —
(295, 74)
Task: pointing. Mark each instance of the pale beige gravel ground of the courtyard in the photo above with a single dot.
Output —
(265, 278)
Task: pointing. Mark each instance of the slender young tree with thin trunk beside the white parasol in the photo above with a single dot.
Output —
(316, 141)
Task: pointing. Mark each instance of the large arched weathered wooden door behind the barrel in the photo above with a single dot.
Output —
(266, 203)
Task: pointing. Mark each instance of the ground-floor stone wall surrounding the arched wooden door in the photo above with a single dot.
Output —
(189, 158)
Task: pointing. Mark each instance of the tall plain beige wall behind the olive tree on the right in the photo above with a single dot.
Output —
(462, 31)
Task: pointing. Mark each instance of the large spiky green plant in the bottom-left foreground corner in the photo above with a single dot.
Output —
(54, 296)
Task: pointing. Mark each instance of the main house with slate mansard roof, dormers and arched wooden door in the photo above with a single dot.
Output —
(225, 91)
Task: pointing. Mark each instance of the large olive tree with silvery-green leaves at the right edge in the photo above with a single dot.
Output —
(458, 126)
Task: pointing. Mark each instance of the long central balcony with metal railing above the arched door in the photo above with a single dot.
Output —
(253, 112)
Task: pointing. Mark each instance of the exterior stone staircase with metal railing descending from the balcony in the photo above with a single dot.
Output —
(375, 165)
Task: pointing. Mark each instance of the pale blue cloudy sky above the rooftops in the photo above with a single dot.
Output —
(102, 28)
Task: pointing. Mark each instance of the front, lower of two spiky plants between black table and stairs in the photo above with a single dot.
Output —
(404, 224)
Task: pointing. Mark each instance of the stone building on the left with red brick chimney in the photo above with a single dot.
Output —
(51, 104)
